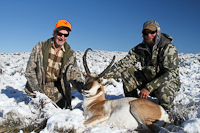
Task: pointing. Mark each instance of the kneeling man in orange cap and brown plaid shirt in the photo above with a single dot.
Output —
(52, 67)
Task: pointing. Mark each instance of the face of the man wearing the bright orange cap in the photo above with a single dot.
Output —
(60, 37)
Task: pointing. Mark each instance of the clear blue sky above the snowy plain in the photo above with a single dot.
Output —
(109, 25)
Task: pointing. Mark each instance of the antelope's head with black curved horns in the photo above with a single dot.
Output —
(94, 82)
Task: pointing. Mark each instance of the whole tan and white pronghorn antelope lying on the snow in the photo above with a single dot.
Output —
(129, 112)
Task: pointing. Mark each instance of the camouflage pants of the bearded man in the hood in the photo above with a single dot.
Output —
(133, 79)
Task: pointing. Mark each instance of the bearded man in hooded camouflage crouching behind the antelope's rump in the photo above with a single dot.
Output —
(152, 67)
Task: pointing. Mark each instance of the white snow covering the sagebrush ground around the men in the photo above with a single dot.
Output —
(16, 105)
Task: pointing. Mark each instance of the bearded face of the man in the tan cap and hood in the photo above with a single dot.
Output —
(149, 36)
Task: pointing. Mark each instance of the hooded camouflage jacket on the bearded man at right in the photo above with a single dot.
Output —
(159, 66)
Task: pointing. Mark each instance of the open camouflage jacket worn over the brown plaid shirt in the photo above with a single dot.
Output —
(37, 64)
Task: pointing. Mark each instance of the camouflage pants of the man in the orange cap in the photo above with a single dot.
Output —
(52, 91)
